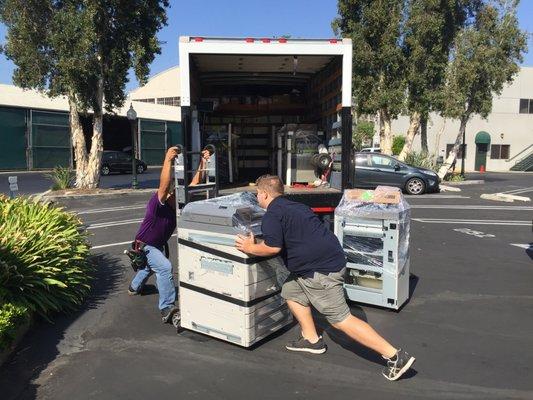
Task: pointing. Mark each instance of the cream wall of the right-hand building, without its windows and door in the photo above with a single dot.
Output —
(505, 120)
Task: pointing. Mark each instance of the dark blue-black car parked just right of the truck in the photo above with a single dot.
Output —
(374, 169)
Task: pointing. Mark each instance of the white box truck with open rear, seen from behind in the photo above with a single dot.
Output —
(255, 98)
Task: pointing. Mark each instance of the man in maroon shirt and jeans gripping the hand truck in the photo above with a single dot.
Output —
(156, 229)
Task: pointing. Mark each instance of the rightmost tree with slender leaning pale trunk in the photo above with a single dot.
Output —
(485, 58)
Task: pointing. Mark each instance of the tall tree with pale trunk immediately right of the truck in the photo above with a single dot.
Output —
(375, 27)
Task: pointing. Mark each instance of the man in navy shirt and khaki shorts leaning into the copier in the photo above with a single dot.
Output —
(316, 261)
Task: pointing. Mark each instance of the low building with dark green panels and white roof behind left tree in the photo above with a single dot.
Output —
(35, 131)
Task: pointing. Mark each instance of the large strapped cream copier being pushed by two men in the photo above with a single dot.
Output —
(223, 292)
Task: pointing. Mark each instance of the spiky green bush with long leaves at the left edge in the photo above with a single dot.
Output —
(43, 256)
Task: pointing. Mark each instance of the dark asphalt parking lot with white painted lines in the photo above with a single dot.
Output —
(468, 321)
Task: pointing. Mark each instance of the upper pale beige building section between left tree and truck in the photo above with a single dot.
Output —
(162, 88)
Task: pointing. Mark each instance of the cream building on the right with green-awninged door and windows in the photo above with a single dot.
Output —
(502, 142)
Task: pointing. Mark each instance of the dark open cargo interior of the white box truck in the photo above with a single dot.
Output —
(247, 104)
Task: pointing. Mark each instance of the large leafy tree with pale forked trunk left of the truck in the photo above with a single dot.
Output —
(83, 49)
